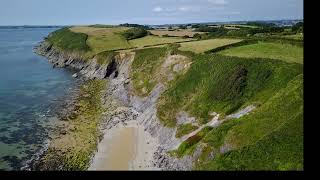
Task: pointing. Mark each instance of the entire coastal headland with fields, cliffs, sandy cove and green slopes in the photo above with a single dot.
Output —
(185, 105)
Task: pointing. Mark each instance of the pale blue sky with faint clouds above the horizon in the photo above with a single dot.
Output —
(83, 12)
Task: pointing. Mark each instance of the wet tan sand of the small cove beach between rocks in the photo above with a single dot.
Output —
(124, 148)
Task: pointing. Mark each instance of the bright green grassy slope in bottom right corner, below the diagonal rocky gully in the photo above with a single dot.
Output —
(271, 138)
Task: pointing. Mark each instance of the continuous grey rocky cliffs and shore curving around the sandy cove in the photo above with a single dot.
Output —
(123, 106)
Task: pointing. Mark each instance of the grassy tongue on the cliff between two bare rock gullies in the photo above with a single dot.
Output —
(144, 69)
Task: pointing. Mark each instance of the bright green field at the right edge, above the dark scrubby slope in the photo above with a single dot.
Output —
(281, 51)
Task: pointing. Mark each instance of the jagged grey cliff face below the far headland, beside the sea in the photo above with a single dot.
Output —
(90, 69)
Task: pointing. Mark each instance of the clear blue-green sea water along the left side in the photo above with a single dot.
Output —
(29, 91)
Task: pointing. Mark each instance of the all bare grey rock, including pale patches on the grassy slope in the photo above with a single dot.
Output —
(124, 106)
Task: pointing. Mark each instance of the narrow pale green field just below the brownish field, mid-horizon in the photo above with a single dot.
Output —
(155, 40)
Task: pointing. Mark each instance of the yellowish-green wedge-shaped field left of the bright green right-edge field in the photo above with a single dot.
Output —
(205, 45)
